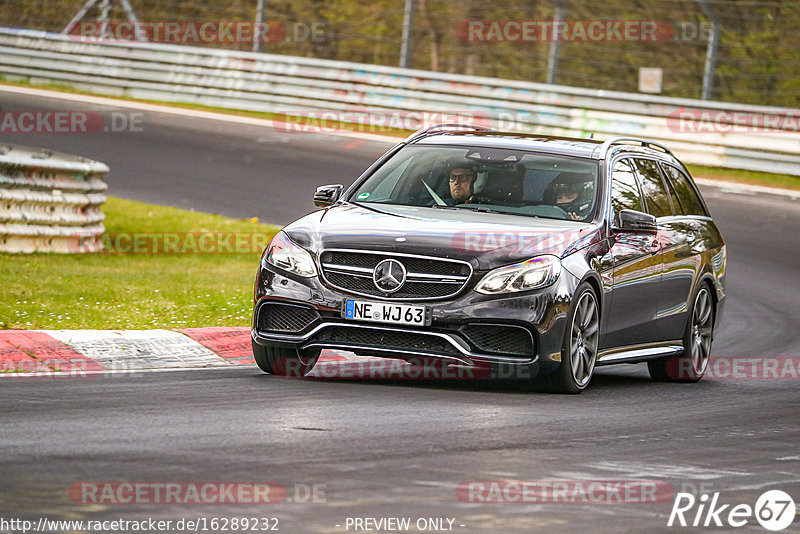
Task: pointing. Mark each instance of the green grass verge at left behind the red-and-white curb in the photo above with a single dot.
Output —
(114, 290)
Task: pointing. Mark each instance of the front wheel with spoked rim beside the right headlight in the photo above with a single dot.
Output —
(579, 348)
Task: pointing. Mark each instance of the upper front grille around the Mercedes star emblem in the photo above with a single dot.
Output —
(427, 278)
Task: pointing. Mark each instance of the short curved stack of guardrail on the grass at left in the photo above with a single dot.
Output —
(50, 202)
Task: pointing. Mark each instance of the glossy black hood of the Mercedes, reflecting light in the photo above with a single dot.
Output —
(487, 240)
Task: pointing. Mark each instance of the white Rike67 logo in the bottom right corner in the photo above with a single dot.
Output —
(774, 510)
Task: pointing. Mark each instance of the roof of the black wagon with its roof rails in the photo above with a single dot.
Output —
(565, 146)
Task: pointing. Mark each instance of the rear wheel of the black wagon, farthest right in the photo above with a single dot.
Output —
(691, 365)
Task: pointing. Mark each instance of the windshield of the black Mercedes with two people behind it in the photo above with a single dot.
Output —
(485, 179)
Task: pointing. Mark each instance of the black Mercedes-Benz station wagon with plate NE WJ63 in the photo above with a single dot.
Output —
(494, 249)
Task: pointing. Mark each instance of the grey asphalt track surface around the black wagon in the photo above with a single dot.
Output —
(398, 448)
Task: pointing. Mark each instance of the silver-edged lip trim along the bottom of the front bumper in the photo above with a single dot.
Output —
(465, 357)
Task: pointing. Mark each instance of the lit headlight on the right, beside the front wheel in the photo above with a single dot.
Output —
(531, 274)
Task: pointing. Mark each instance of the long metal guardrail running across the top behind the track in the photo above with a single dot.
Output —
(281, 84)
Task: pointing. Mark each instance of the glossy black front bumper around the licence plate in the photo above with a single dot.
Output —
(469, 329)
